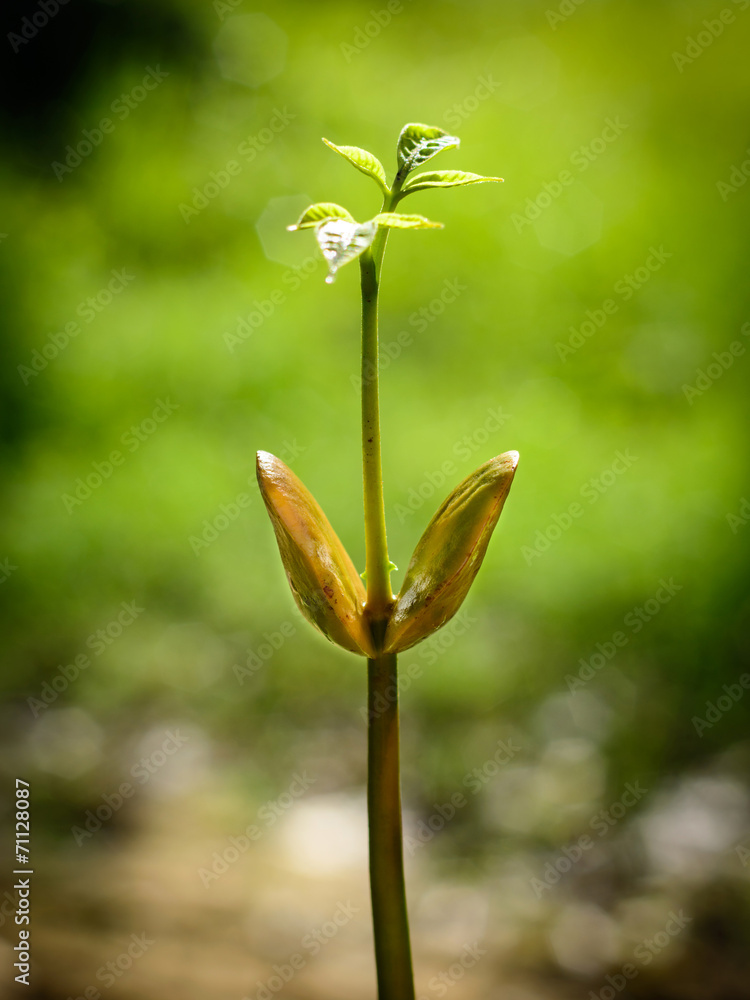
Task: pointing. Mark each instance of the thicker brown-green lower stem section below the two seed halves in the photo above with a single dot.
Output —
(390, 919)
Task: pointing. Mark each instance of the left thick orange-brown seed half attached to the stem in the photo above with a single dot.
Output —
(323, 580)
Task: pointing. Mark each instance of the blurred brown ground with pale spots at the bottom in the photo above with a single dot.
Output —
(173, 906)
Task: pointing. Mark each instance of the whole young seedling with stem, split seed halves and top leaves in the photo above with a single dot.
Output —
(330, 594)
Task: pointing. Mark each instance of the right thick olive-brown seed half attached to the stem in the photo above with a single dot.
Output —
(449, 554)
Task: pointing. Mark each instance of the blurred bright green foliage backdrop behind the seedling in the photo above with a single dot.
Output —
(290, 386)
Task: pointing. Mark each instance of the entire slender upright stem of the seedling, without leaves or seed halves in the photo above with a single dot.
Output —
(390, 919)
